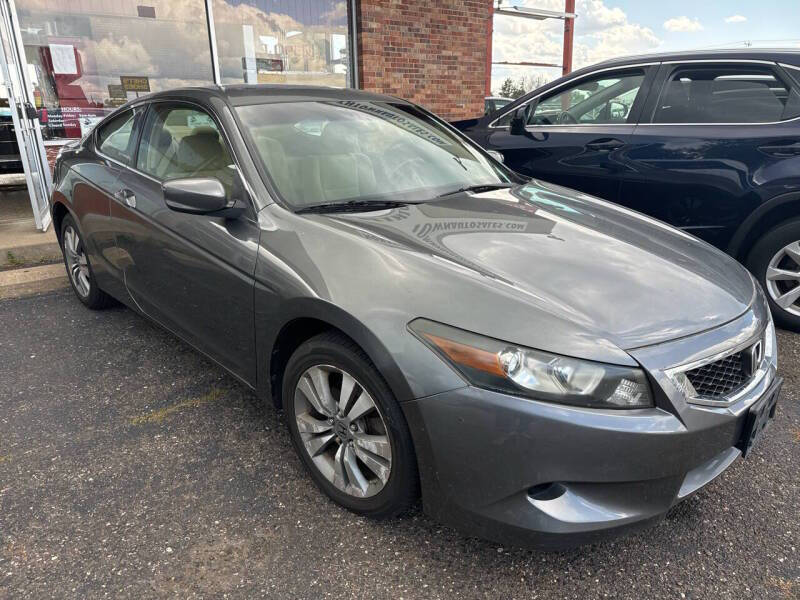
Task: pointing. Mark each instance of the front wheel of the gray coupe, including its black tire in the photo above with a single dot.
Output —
(348, 428)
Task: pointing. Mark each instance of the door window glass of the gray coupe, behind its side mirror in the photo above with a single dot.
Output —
(179, 141)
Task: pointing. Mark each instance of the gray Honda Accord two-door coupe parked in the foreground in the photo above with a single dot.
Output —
(544, 368)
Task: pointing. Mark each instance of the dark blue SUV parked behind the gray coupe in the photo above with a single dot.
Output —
(706, 141)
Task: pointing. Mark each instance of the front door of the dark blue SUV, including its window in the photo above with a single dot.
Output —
(577, 134)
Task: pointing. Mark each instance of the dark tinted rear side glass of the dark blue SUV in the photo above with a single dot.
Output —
(726, 94)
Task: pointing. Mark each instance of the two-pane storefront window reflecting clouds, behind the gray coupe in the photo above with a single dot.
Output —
(88, 57)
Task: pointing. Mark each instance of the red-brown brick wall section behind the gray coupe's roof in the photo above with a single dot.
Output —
(431, 52)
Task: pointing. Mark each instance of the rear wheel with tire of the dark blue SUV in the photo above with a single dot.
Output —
(774, 260)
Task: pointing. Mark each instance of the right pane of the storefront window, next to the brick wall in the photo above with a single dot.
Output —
(282, 41)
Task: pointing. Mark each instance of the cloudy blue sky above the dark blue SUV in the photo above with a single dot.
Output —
(611, 28)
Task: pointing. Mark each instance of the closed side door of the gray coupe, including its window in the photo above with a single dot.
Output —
(193, 273)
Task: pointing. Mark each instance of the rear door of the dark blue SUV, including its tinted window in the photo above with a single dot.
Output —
(715, 140)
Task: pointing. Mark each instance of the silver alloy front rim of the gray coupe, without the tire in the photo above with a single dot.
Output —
(343, 431)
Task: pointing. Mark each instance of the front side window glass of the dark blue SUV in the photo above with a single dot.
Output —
(602, 100)
